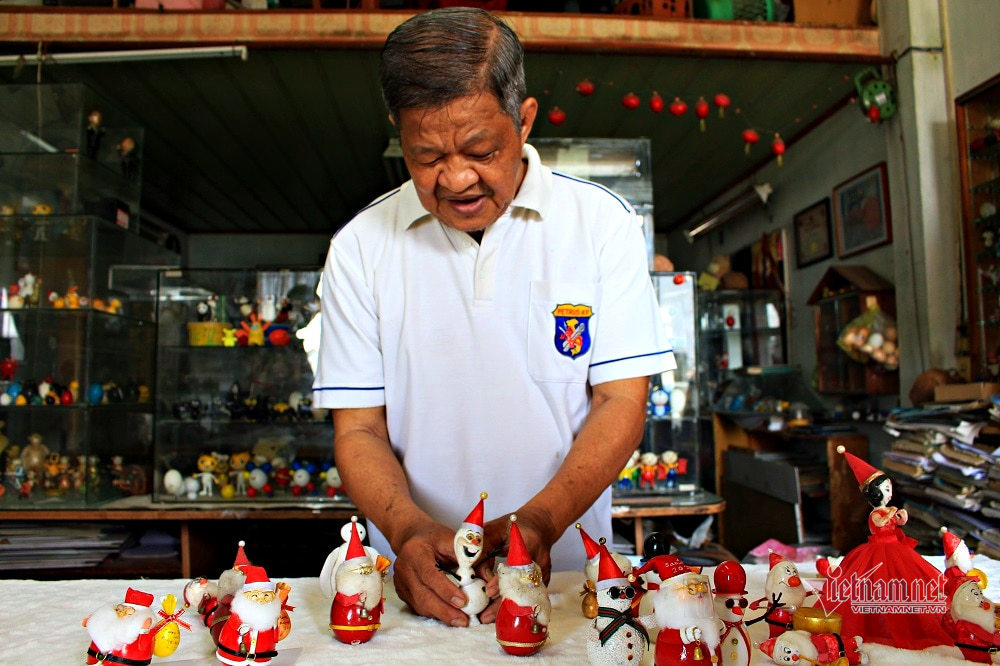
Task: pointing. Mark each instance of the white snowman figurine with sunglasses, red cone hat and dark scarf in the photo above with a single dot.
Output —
(618, 636)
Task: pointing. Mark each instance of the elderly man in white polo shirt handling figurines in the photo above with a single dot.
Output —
(490, 324)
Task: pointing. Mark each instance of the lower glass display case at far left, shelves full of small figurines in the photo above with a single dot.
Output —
(77, 363)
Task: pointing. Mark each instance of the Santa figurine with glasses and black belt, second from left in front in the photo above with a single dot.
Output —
(249, 634)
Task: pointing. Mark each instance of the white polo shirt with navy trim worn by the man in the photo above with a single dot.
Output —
(483, 353)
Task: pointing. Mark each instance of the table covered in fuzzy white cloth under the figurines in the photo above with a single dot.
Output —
(40, 623)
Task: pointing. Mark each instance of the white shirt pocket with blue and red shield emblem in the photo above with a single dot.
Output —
(562, 329)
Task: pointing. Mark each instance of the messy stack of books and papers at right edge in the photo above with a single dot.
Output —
(943, 466)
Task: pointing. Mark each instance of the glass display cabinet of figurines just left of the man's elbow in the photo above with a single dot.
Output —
(234, 421)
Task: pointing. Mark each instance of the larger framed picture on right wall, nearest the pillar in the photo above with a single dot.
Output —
(861, 212)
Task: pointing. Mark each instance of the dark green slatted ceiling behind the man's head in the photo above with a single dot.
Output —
(291, 140)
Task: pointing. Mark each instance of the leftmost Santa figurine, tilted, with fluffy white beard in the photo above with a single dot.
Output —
(120, 634)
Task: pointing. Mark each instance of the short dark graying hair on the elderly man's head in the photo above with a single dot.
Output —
(439, 56)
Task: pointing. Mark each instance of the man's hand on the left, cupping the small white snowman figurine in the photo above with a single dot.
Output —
(419, 580)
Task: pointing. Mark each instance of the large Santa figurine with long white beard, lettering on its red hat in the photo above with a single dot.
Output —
(689, 631)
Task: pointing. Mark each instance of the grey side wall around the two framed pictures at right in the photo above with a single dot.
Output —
(841, 147)
